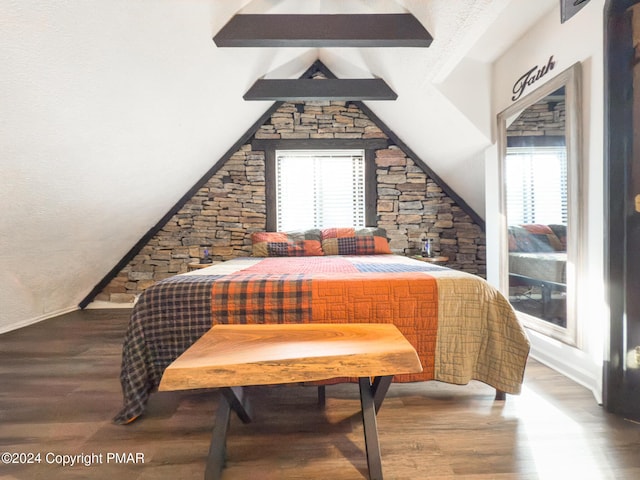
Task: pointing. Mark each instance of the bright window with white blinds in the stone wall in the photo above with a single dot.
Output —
(320, 188)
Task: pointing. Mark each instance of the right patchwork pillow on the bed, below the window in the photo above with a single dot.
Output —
(349, 241)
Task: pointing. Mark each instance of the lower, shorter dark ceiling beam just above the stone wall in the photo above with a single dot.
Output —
(325, 89)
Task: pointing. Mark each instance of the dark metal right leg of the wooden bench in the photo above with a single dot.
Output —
(369, 396)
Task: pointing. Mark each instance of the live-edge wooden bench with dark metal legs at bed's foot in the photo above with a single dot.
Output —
(233, 356)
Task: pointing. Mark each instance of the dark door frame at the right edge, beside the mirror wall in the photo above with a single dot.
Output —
(622, 216)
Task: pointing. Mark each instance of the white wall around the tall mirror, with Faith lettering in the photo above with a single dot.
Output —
(578, 40)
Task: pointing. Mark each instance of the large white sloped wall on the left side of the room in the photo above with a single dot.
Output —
(107, 113)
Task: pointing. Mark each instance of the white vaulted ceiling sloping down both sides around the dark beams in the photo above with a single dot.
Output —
(108, 110)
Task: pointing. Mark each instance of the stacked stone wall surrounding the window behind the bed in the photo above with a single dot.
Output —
(231, 205)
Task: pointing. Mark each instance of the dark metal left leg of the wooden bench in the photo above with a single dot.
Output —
(231, 399)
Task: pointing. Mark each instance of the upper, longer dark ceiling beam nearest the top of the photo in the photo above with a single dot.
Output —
(323, 30)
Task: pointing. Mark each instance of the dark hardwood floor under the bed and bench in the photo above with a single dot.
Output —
(59, 389)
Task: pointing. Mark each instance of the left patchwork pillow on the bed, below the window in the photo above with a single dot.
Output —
(299, 243)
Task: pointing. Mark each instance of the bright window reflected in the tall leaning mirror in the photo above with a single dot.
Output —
(537, 179)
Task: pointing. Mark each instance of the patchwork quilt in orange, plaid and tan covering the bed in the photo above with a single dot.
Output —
(462, 328)
